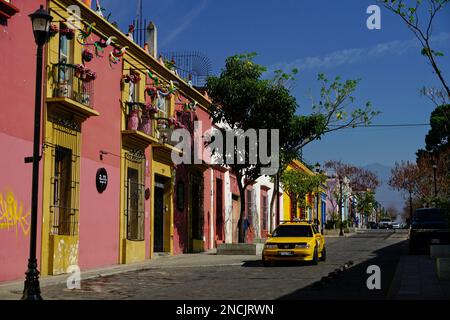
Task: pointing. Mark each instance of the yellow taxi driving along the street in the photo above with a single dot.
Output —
(294, 241)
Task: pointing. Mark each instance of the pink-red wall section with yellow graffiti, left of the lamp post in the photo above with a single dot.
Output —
(17, 83)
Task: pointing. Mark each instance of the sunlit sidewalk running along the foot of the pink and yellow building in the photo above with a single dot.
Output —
(13, 290)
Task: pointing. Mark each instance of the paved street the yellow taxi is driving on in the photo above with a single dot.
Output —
(228, 277)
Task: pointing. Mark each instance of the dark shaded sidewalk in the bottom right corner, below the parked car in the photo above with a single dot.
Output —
(416, 279)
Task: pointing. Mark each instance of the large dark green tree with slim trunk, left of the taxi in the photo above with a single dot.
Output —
(242, 100)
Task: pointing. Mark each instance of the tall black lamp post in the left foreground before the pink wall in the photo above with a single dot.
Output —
(41, 24)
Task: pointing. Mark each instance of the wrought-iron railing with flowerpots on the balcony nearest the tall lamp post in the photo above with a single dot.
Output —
(74, 82)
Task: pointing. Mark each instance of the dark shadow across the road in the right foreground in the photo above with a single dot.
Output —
(352, 283)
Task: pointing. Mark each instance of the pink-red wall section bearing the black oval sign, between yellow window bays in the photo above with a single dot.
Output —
(99, 213)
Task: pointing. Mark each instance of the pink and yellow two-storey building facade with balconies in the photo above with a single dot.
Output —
(107, 181)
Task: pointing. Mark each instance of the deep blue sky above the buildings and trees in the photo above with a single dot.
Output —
(316, 36)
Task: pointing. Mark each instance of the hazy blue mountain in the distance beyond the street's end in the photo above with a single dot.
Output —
(384, 194)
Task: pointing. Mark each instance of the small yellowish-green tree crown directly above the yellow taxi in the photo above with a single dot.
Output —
(298, 184)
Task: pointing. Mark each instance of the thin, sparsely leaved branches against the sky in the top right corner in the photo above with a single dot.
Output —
(410, 14)
